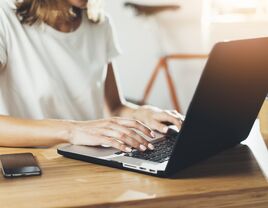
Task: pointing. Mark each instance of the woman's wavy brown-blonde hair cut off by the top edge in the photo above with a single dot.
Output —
(38, 11)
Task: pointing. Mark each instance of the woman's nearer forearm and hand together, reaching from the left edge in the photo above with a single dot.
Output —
(44, 133)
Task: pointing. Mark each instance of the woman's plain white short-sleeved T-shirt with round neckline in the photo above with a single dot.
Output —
(50, 74)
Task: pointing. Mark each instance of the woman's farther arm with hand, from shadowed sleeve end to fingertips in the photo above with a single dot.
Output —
(151, 116)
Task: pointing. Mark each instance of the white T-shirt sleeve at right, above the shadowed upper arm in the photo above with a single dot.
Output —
(113, 48)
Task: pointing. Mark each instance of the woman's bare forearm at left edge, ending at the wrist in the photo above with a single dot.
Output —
(32, 133)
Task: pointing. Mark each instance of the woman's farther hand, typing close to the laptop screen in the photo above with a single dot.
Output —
(156, 118)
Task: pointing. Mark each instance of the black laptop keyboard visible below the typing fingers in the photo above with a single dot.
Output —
(161, 153)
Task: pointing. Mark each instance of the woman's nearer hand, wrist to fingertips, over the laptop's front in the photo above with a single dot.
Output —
(119, 133)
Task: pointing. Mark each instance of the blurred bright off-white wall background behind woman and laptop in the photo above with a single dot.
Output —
(192, 29)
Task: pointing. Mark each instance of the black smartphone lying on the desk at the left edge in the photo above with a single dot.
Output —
(16, 165)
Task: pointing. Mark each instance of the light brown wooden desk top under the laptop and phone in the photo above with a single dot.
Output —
(230, 179)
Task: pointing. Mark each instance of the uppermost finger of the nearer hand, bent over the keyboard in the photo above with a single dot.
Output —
(130, 123)
